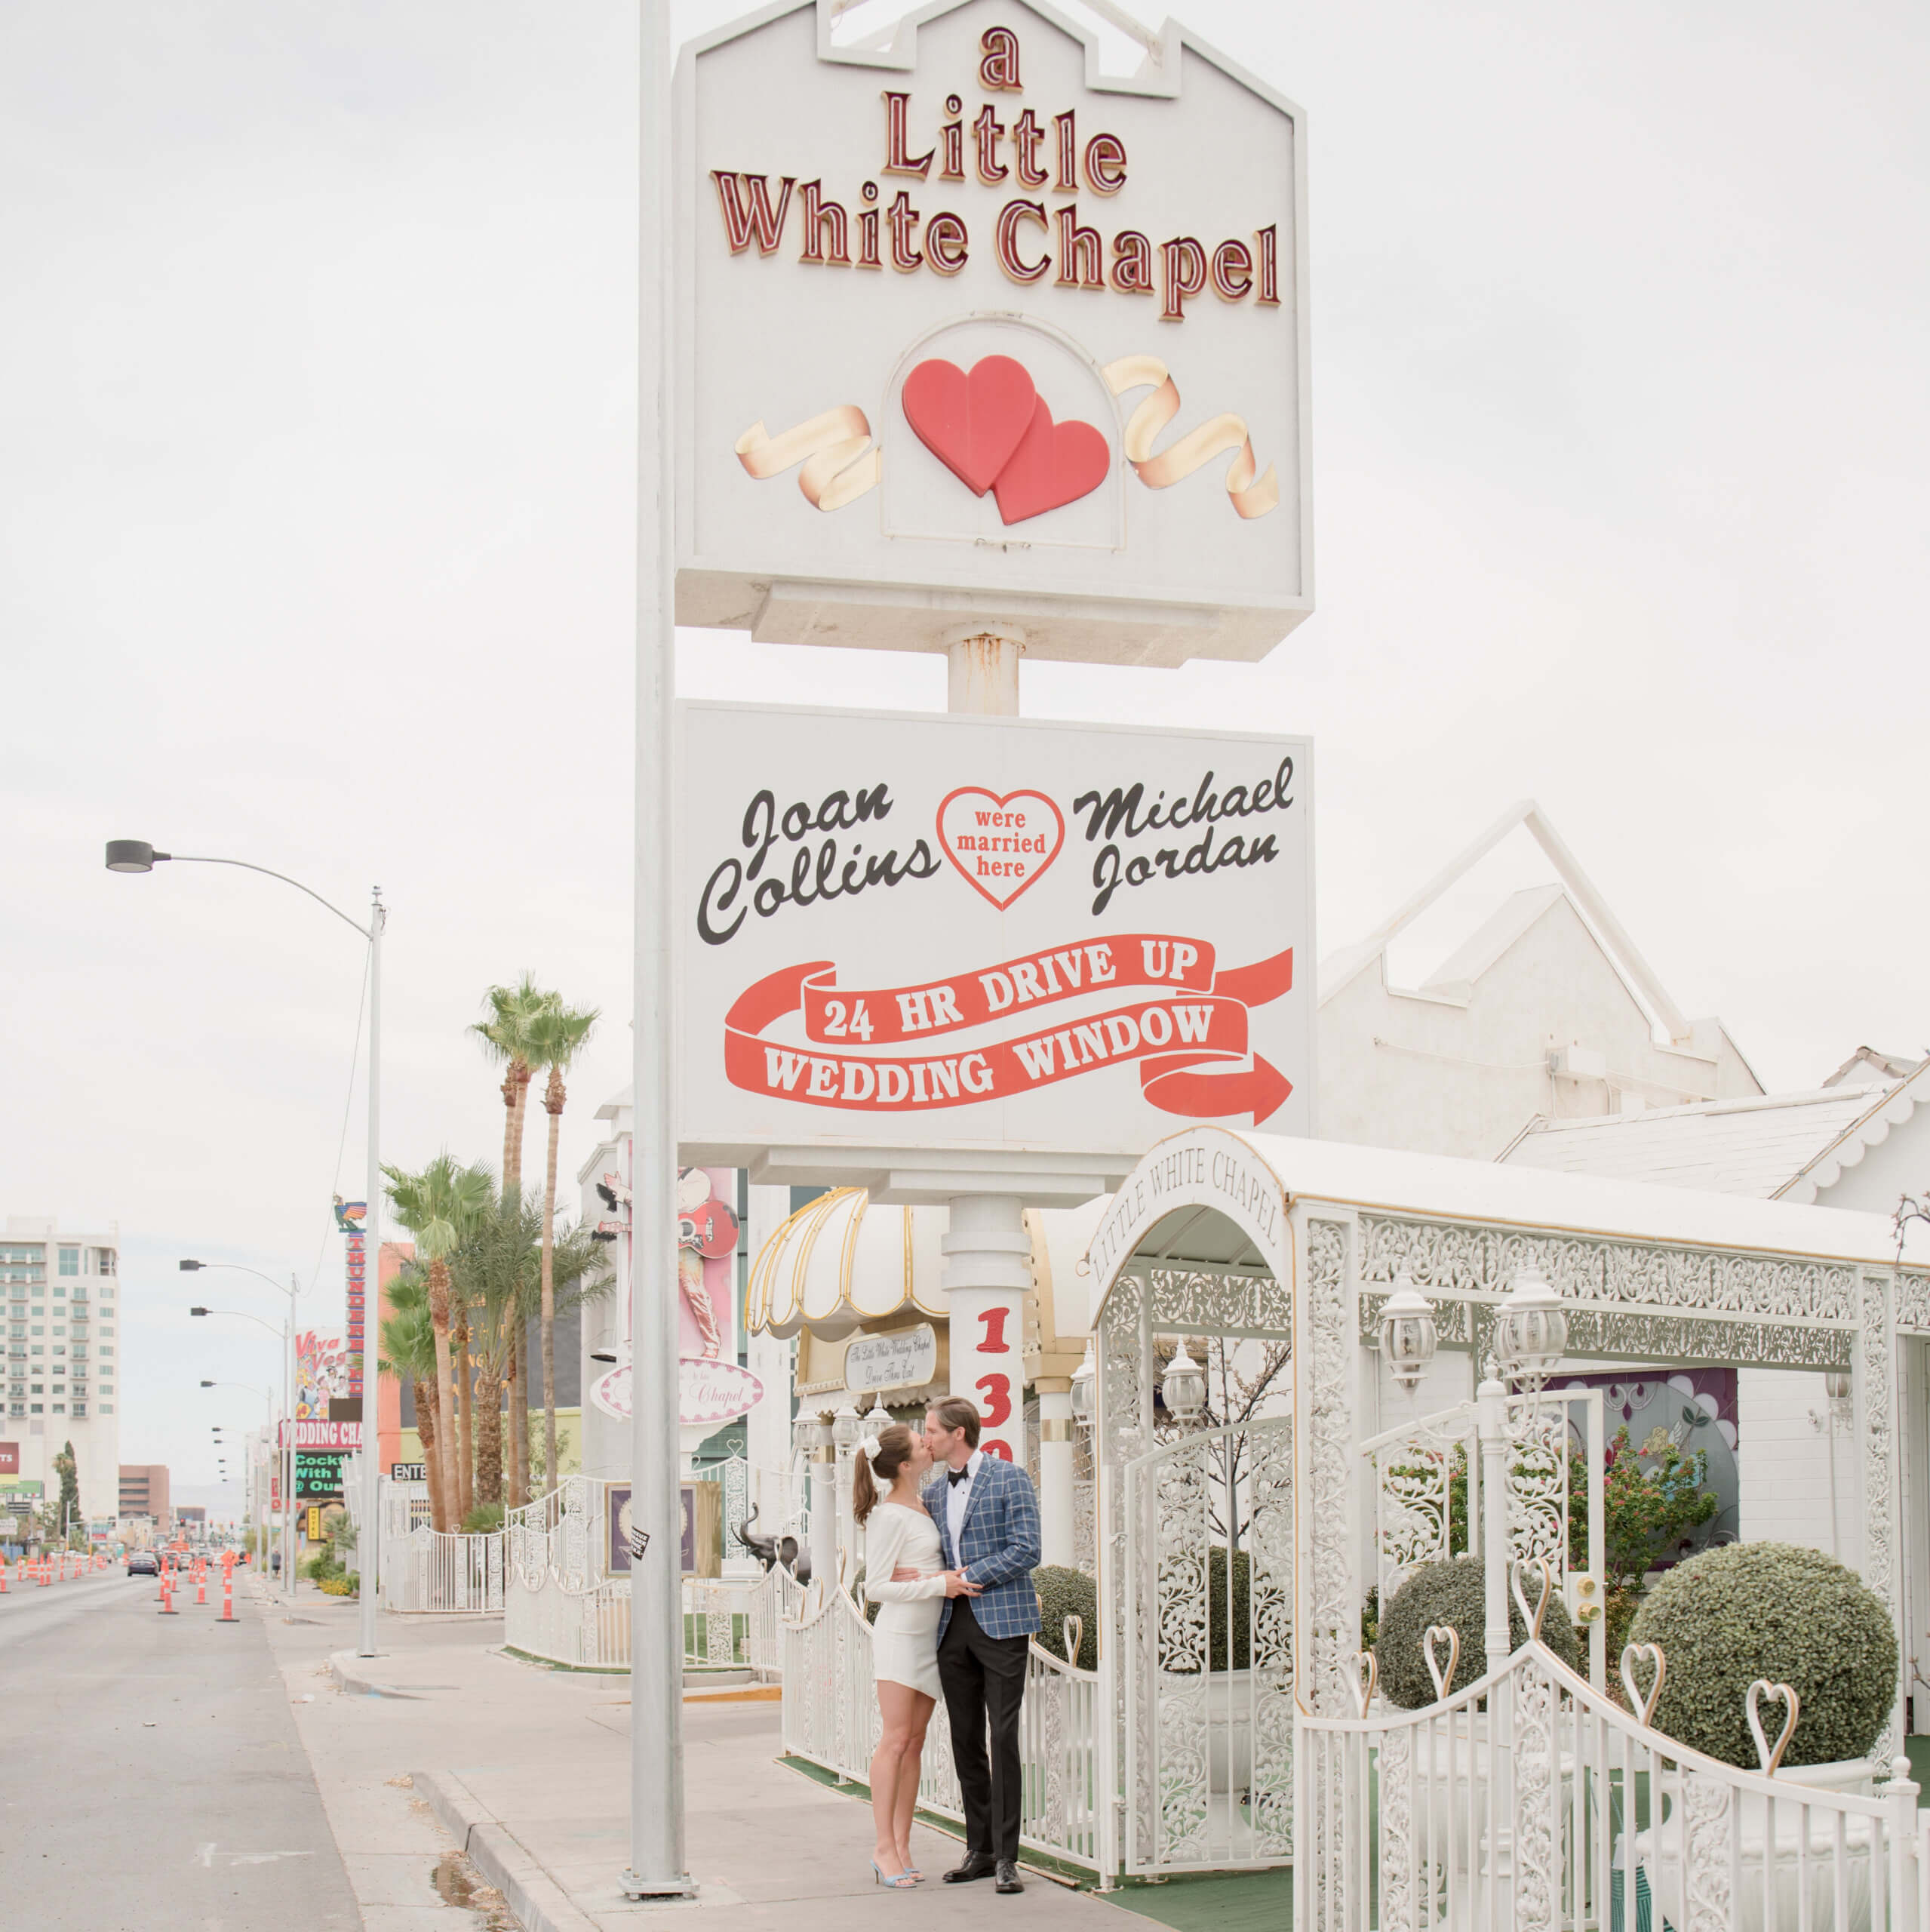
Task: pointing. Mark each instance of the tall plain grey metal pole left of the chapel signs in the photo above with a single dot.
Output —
(656, 1577)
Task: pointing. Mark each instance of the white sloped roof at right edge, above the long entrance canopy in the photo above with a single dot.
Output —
(1774, 1147)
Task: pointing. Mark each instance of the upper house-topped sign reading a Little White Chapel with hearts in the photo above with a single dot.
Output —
(975, 327)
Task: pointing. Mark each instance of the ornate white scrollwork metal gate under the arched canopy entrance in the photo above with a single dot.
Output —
(1210, 1695)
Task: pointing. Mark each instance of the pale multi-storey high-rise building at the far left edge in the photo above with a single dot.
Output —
(61, 1292)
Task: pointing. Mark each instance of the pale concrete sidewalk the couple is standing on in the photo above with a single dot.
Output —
(530, 1773)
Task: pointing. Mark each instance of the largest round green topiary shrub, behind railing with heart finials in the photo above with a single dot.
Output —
(1780, 1612)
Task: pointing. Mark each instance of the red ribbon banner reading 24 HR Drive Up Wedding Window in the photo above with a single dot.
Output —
(1197, 1019)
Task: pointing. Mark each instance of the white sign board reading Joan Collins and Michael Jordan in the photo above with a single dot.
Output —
(959, 932)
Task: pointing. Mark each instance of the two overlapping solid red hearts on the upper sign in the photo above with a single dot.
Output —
(994, 432)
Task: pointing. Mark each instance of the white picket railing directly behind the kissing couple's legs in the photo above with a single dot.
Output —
(832, 1720)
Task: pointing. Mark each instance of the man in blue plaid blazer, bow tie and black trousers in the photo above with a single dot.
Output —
(990, 1533)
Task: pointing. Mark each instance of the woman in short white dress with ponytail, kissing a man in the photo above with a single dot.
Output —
(907, 1581)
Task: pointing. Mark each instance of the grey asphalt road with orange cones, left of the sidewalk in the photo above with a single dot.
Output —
(152, 1775)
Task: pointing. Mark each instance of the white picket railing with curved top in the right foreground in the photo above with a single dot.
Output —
(1531, 1804)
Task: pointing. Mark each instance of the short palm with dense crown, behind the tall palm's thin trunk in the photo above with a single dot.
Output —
(499, 1272)
